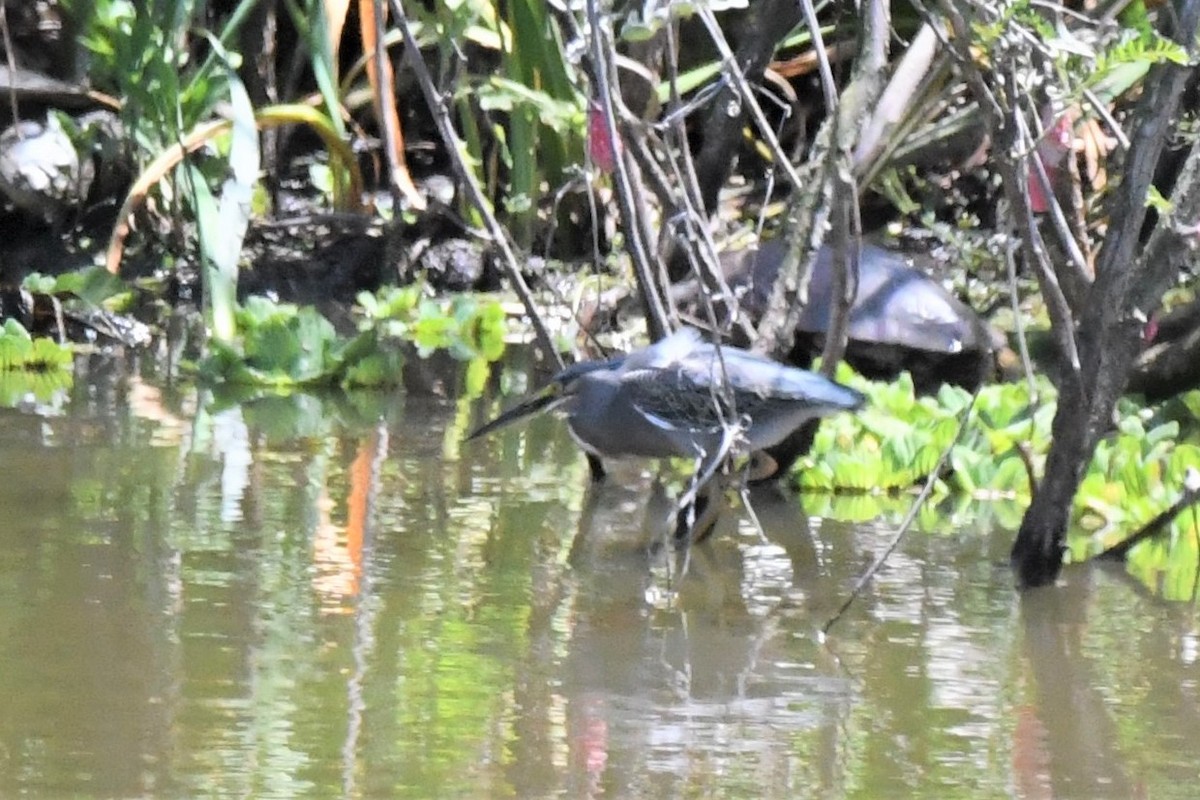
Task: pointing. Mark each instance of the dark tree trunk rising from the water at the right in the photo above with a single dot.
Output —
(1129, 288)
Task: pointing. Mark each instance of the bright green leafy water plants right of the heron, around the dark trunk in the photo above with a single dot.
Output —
(1137, 473)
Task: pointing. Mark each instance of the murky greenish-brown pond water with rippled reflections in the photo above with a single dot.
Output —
(292, 599)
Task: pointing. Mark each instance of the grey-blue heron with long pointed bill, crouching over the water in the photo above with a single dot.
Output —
(682, 398)
